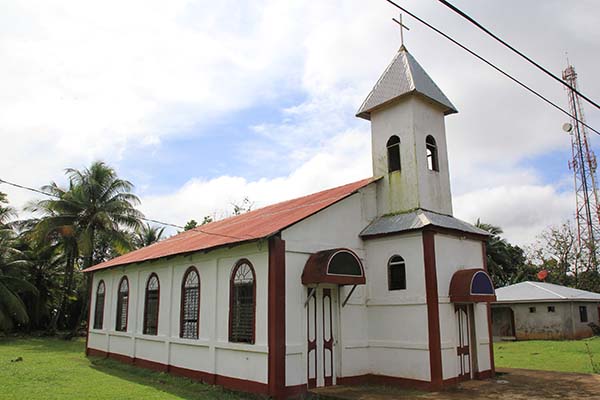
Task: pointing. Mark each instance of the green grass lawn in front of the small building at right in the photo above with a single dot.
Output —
(550, 355)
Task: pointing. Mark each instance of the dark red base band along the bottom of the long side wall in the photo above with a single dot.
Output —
(225, 381)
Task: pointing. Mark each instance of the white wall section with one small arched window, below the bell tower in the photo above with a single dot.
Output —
(398, 328)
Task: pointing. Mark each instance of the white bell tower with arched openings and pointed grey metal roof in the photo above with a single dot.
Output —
(408, 137)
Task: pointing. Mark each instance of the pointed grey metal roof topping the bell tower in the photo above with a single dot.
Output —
(403, 76)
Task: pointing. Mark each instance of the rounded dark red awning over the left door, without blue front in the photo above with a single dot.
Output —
(337, 266)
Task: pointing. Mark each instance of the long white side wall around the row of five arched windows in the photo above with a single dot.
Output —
(212, 352)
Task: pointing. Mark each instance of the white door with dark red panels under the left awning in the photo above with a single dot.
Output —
(322, 312)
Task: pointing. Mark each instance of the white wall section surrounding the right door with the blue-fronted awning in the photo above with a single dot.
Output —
(453, 254)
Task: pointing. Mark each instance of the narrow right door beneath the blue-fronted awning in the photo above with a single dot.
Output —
(465, 337)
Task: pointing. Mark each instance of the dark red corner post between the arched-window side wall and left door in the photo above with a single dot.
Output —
(276, 317)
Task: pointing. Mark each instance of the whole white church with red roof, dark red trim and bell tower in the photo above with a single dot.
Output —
(371, 282)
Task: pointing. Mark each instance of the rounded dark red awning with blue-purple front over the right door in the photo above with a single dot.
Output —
(471, 286)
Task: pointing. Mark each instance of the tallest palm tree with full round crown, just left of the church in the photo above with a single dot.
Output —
(97, 206)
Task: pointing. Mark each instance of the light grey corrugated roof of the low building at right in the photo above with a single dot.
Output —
(526, 292)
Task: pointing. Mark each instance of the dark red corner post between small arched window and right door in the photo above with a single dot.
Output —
(433, 311)
